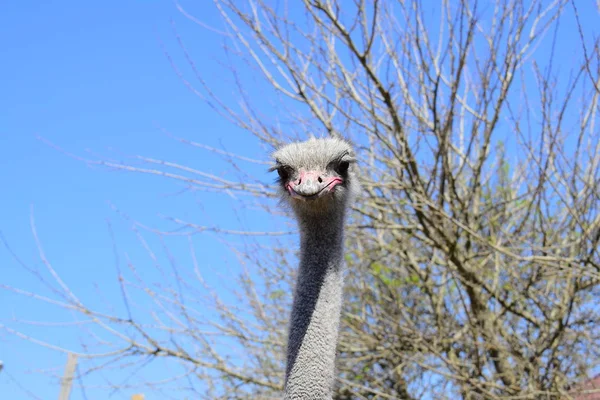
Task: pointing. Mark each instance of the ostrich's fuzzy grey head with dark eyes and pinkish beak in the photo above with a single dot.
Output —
(316, 177)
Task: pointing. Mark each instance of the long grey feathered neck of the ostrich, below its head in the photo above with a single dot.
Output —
(310, 371)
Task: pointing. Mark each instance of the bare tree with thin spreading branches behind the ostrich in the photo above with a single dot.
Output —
(473, 249)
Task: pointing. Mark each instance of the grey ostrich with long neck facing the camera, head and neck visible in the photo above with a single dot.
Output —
(317, 182)
